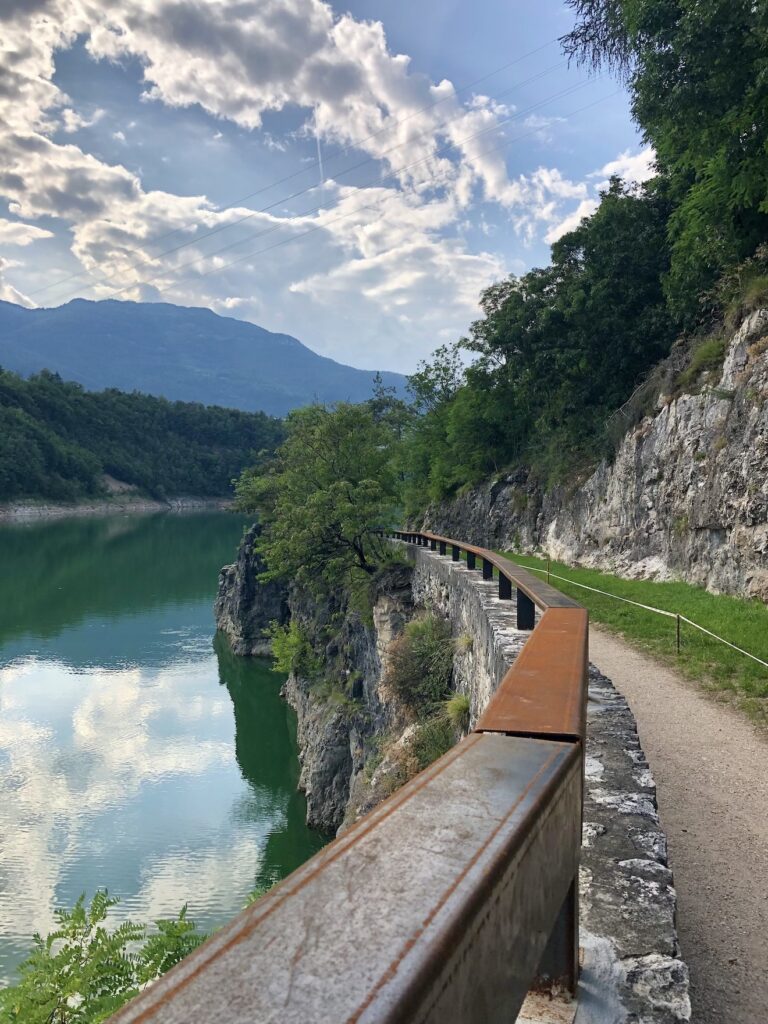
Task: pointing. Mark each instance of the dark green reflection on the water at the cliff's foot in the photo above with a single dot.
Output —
(268, 757)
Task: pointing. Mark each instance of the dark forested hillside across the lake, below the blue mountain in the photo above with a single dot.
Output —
(58, 442)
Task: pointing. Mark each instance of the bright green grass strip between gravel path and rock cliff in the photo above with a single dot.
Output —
(714, 665)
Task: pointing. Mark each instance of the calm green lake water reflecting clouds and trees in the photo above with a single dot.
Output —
(137, 752)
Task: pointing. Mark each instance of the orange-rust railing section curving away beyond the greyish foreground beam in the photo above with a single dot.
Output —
(544, 694)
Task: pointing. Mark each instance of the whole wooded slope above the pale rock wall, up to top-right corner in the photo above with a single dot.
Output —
(675, 261)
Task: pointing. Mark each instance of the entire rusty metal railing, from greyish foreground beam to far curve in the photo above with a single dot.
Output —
(451, 900)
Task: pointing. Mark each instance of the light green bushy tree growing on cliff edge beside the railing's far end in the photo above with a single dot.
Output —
(322, 501)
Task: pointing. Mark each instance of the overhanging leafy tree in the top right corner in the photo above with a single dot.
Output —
(698, 72)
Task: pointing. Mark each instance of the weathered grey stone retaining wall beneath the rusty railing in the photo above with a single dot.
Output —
(632, 969)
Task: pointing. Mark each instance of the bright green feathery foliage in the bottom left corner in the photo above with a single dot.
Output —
(83, 972)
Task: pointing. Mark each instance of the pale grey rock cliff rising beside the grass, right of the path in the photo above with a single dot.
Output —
(687, 495)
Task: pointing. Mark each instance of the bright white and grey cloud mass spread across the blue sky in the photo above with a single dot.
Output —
(239, 61)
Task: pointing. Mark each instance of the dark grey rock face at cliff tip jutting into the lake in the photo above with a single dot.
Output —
(244, 607)
